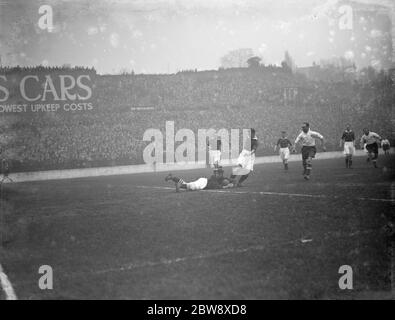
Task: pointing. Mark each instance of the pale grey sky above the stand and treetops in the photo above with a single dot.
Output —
(165, 36)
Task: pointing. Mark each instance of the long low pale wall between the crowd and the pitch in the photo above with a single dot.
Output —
(135, 169)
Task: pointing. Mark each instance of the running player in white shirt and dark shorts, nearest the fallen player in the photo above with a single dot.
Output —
(307, 138)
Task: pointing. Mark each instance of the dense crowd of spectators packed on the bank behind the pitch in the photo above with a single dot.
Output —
(232, 99)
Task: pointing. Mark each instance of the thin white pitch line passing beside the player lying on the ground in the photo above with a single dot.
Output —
(303, 195)
